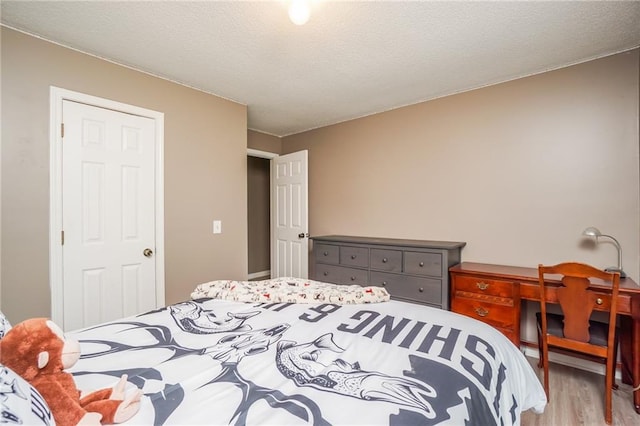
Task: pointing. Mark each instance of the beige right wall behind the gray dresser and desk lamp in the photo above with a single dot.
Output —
(517, 170)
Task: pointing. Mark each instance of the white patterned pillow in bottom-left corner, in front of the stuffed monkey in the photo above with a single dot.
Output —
(20, 402)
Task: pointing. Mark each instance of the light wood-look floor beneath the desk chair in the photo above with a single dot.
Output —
(577, 398)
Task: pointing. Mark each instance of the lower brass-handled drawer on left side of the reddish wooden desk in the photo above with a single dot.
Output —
(503, 316)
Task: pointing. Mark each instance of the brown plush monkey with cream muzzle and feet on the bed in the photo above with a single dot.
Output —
(37, 350)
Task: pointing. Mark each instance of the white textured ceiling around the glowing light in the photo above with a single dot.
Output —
(350, 60)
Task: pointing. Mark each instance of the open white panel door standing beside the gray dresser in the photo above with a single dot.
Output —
(290, 242)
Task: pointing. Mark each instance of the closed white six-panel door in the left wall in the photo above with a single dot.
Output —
(108, 202)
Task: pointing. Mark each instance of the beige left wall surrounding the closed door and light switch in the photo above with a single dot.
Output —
(204, 170)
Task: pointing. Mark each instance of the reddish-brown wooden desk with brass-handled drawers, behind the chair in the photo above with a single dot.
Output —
(524, 282)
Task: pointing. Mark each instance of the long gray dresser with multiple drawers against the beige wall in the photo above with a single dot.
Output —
(411, 270)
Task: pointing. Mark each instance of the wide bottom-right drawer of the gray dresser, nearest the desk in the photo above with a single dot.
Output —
(423, 290)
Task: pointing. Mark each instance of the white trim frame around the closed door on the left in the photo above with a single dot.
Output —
(56, 97)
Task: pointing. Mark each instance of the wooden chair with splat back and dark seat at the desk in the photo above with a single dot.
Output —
(573, 331)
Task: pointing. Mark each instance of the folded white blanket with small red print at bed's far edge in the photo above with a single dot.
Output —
(290, 290)
